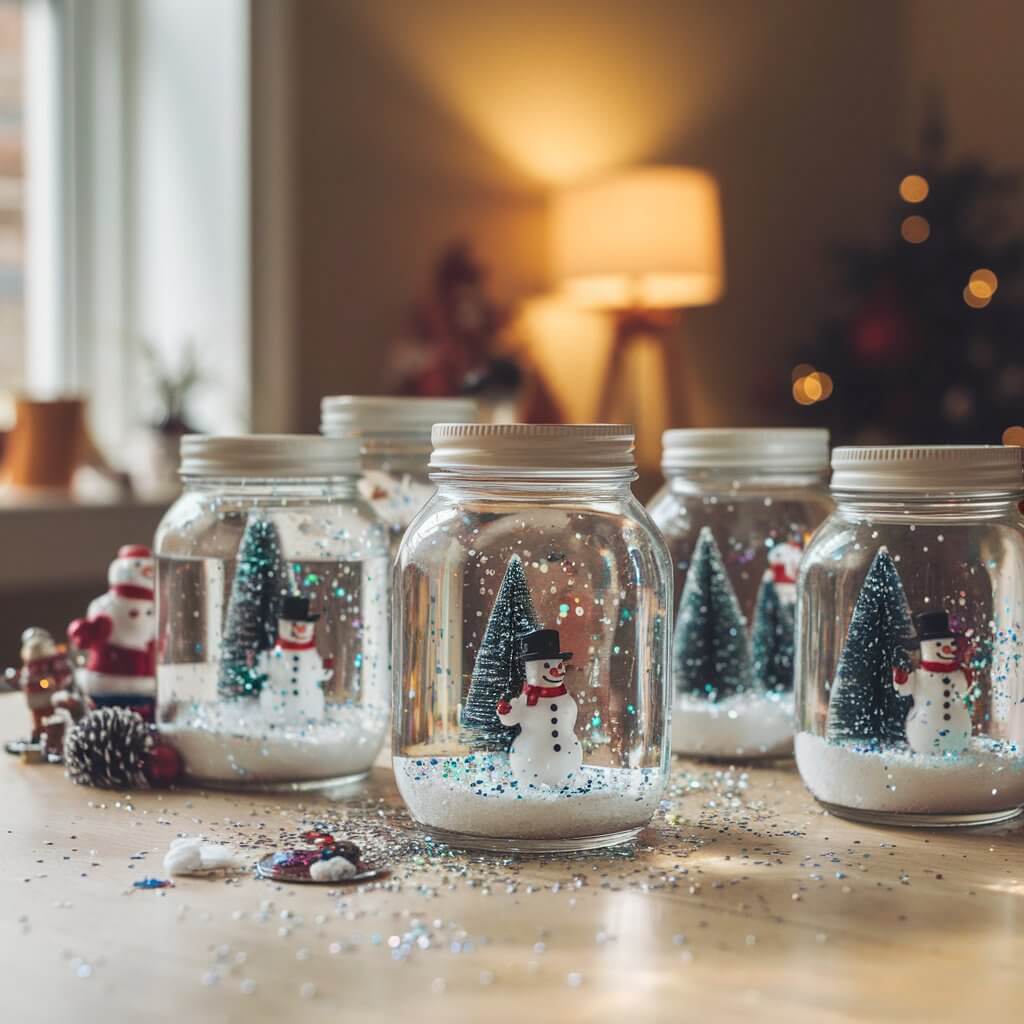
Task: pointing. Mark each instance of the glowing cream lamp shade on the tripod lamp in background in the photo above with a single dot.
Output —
(650, 238)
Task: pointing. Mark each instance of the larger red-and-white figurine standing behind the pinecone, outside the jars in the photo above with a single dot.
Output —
(119, 633)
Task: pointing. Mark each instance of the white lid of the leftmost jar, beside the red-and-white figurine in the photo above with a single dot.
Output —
(278, 456)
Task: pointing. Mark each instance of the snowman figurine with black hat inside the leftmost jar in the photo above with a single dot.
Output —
(293, 670)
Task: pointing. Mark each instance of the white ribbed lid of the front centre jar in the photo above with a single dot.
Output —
(513, 447)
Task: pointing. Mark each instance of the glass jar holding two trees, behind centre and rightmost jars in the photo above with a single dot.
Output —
(737, 510)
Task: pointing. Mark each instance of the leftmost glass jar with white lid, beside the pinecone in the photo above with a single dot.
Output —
(273, 610)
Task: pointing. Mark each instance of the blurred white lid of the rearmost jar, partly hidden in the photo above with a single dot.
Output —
(373, 416)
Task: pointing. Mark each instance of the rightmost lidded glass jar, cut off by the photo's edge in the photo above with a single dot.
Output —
(910, 675)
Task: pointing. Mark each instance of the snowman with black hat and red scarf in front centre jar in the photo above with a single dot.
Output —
(546, 752)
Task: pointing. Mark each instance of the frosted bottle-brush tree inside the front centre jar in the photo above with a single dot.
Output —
(499, 671)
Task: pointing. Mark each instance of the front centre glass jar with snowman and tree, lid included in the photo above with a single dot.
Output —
(533, 604)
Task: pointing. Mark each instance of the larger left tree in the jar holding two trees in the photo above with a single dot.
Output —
(711, 656)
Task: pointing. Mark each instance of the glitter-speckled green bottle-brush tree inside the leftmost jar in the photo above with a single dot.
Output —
(251, 624)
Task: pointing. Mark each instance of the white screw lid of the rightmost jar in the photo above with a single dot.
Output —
(966, 470)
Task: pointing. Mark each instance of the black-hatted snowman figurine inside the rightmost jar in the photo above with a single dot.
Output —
(940, 722)
